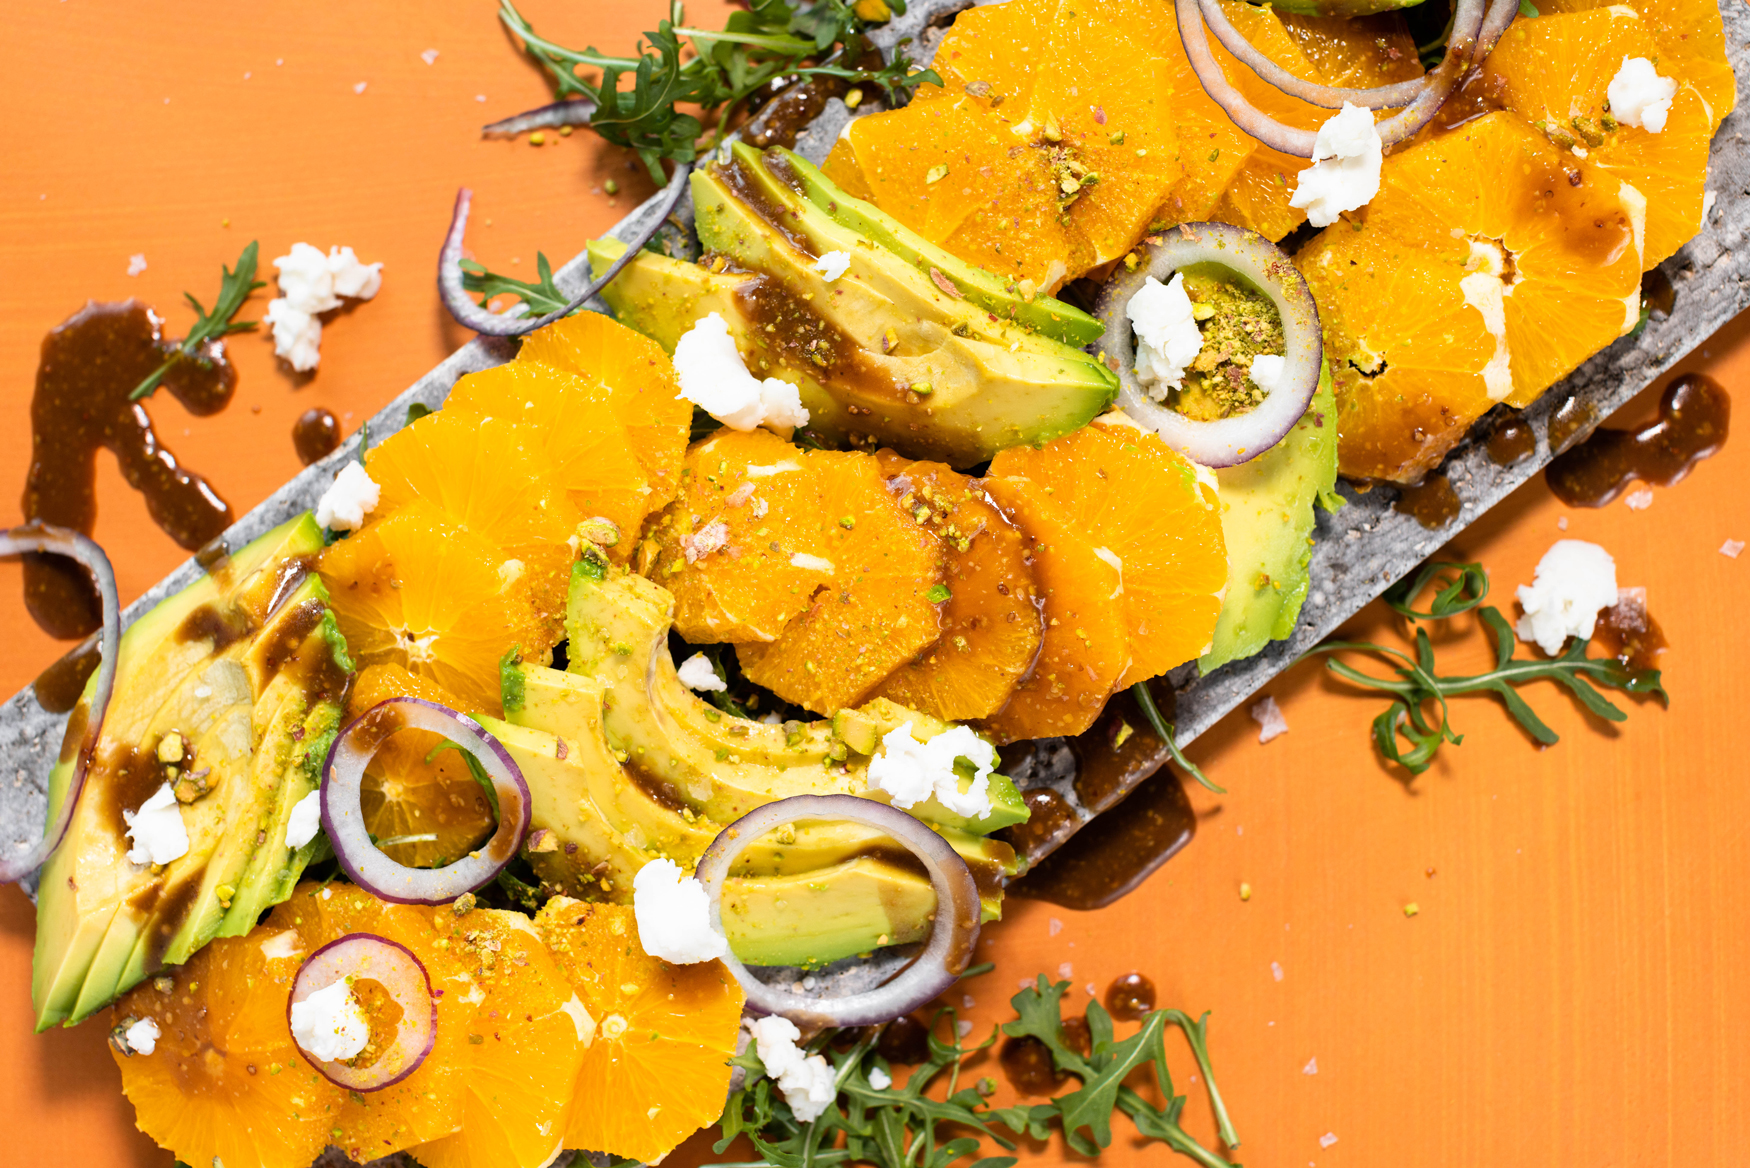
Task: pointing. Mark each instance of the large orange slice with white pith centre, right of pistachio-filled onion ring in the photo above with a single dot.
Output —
(1550, 248)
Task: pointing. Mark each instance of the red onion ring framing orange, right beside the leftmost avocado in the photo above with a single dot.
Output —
(344, 819)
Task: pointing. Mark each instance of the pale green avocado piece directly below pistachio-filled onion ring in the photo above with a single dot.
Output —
(1268, 526)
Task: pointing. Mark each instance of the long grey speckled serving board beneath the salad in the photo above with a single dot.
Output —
(1359, 551)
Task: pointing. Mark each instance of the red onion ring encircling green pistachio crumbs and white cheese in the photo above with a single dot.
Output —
(1245, 437)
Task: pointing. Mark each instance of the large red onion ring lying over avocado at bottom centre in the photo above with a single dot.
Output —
(937, 967)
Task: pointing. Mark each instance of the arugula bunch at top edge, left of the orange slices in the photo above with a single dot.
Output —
(767, 41)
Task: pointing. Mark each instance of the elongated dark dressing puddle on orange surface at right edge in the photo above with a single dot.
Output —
(1695, 418)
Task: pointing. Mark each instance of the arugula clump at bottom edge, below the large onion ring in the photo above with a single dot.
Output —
(902, 1127)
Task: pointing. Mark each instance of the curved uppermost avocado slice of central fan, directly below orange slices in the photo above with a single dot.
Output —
(708, 761)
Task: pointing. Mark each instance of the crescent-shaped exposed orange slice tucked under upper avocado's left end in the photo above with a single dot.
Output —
(643, 393)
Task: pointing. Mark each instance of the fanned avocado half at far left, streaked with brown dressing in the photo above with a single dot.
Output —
(197, 665)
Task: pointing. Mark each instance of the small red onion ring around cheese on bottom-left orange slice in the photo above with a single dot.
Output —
(403, 976)
